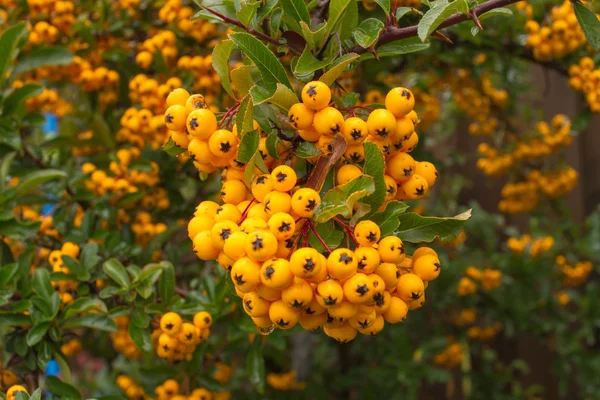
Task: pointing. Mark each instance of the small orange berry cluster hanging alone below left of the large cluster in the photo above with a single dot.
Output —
(177, 339)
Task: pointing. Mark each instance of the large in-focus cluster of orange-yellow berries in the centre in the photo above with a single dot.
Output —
(260, 232)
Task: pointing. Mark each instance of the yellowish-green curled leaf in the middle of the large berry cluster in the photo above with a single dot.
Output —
(341, 199)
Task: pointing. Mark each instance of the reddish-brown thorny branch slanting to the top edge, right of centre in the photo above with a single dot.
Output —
(393, 33)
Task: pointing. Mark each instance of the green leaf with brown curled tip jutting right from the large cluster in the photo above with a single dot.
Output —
(416, 229)
